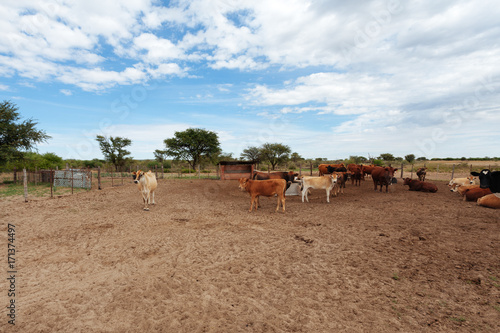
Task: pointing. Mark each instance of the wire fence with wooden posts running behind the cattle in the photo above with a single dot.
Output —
(50, 183)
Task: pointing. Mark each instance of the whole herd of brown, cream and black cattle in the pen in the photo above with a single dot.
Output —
(482, 187)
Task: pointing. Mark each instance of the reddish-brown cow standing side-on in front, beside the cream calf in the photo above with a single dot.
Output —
(267, 188)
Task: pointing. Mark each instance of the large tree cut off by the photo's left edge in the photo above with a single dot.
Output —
(17, 138)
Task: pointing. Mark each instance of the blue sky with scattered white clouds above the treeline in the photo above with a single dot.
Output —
(330, 79)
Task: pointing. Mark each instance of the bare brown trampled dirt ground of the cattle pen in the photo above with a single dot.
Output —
(198, 261)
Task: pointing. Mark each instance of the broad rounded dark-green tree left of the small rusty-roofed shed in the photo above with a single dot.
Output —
(193, 144)
